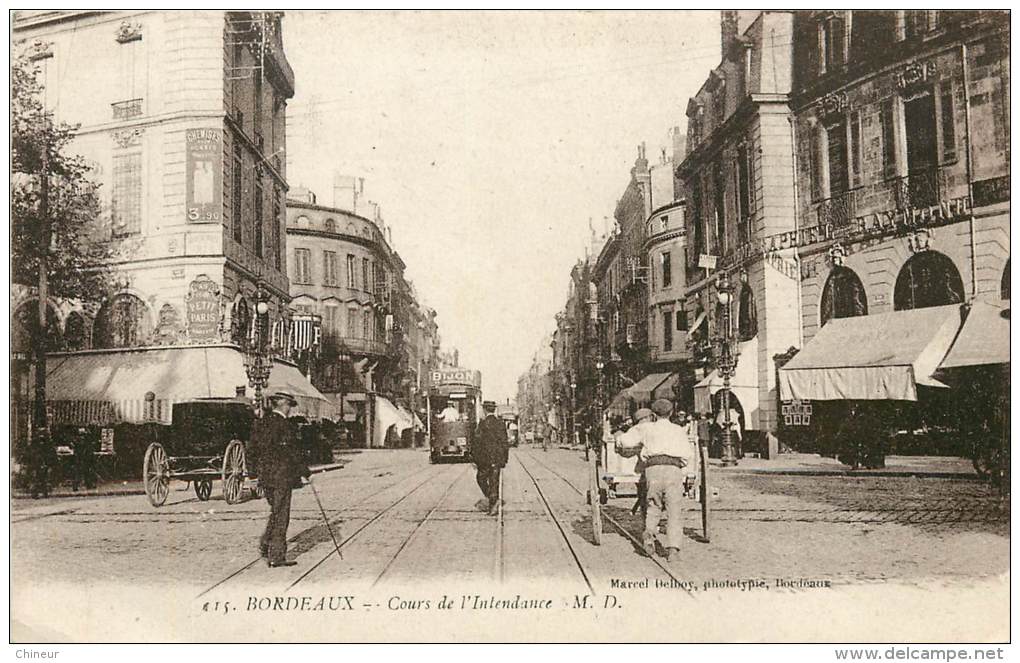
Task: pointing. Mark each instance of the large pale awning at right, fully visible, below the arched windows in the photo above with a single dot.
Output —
(873, 358)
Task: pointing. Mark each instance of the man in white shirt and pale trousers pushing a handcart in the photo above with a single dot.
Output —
(668, 455)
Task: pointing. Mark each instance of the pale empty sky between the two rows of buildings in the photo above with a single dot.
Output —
(490, 140)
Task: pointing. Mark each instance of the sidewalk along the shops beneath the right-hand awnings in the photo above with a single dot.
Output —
(815, 466)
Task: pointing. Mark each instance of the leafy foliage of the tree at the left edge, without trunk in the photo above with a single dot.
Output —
(76, 252)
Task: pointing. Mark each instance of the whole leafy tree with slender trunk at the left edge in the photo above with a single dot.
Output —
(56, 243)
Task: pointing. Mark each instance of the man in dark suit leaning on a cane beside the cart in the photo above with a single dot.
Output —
(280, 465)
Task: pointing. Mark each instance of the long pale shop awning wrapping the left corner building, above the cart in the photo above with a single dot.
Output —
(110, 387)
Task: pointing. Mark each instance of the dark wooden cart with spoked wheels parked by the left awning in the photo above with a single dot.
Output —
(206, 442)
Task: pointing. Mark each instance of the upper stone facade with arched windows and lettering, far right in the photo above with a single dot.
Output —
(903, 161)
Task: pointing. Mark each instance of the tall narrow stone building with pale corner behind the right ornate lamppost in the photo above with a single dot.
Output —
(739, 178)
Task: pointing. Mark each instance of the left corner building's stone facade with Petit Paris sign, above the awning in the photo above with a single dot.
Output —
(183, 120)
